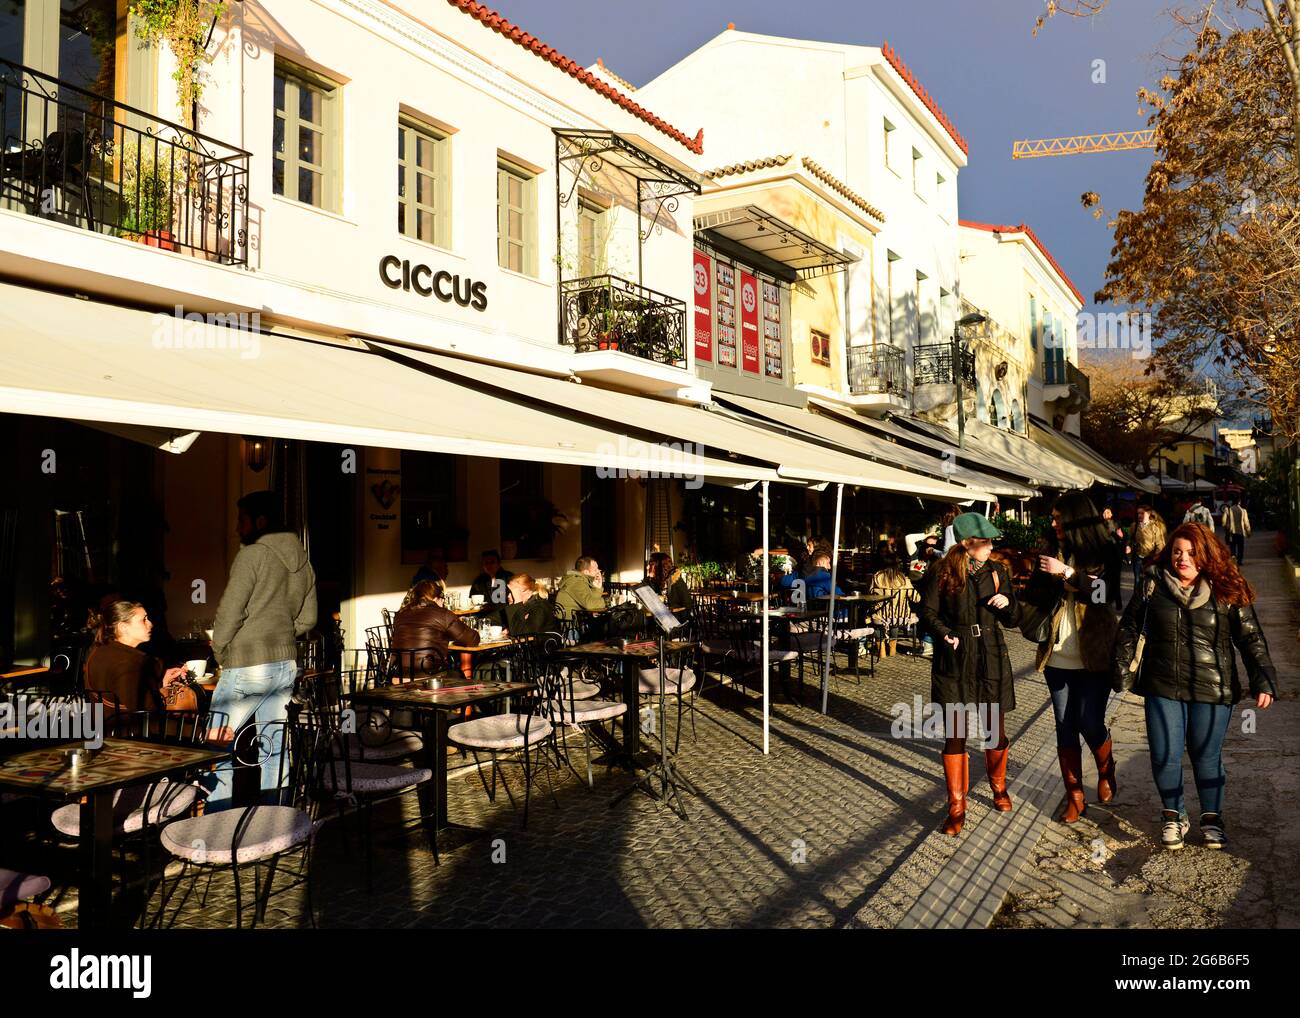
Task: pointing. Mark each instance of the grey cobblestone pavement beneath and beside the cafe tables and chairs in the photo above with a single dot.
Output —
(838, 828)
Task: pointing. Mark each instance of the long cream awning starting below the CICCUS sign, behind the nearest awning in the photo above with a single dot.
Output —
(717, 434)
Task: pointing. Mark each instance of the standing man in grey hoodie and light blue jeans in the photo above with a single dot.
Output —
(270, 601)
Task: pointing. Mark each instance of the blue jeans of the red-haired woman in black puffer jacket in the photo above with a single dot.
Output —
(1175, 726)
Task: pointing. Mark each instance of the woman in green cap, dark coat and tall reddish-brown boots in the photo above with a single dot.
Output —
(967, 601)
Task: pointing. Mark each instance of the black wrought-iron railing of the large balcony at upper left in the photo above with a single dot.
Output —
(80, 158)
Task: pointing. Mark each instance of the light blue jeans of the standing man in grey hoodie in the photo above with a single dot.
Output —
(258, 694)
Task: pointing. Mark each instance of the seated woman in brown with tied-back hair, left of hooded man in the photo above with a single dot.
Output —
(124, 675)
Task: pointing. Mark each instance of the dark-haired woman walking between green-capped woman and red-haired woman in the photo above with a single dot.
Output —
(1072, 620)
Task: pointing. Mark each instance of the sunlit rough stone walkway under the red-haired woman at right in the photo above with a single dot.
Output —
(1110, 870)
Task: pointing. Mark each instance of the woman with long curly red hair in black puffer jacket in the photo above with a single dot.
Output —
(1194, 608)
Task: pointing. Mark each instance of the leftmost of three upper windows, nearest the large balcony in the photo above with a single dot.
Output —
(305, 164)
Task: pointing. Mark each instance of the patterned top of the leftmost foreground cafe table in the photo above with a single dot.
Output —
(119, 764)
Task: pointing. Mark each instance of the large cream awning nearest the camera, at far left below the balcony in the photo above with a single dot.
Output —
(93, 362)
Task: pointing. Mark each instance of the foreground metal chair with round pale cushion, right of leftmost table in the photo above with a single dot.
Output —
(259, 837)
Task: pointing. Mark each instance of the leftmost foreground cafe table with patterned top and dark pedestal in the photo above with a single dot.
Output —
(122, 763)
